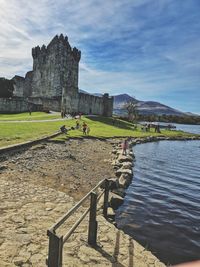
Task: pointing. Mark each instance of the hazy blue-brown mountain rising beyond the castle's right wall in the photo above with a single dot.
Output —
(144, 107)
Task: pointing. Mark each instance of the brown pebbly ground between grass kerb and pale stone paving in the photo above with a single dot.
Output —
(73, 167)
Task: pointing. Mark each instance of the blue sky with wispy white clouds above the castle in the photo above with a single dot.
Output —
(149, 49)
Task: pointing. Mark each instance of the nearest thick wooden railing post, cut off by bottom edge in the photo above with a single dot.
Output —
(55, 250)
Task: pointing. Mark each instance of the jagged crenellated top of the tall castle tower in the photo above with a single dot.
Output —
(54, 45)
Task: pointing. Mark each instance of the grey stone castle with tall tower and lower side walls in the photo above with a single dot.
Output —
(53, 82)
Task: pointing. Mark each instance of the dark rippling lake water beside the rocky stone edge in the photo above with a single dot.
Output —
(162, 206)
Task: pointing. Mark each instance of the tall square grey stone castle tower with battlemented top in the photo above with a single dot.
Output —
(55, 70)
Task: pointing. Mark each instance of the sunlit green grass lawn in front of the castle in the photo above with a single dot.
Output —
(18, 132)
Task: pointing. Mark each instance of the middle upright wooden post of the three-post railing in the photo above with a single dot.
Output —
(92, 230)
